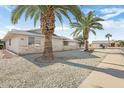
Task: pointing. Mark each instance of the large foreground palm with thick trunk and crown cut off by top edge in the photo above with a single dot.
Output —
(46, 15)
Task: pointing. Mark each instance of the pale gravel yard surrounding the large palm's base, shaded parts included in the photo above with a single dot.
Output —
(69, 70)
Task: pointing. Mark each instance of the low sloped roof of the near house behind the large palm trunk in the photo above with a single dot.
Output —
(33, 32)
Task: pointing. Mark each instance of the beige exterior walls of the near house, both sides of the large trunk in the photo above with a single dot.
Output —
(19, 45)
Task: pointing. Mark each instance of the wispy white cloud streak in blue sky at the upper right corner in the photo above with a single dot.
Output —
(111, 12)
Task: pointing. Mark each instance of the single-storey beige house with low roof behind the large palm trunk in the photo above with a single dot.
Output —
(32, 41)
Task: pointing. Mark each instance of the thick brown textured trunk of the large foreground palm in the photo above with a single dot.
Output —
(49, 26)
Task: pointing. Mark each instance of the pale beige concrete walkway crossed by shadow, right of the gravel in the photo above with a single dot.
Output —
(109, 73)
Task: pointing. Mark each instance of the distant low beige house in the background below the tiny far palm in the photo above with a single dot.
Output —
(97, 44)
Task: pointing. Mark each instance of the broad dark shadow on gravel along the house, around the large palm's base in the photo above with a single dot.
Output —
(59, 57)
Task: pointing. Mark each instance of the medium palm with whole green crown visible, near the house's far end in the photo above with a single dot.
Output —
(89, 23)
